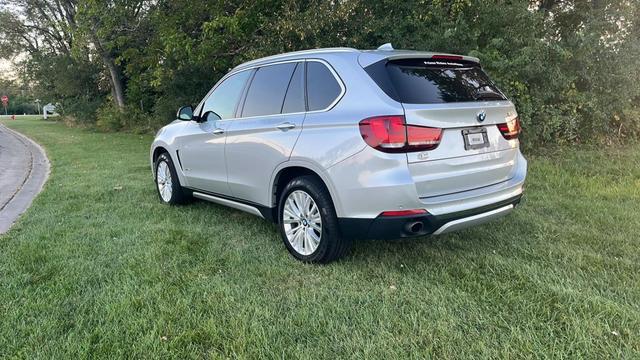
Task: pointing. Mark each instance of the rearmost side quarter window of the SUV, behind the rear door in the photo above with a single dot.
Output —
(322, 87)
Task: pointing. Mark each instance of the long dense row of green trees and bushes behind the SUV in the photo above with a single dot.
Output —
(567, 64)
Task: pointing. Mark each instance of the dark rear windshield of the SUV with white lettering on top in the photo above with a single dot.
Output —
(425, 81)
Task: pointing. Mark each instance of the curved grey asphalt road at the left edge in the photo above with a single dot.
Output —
(24, 168)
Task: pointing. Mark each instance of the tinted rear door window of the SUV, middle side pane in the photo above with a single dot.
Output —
(267, 90)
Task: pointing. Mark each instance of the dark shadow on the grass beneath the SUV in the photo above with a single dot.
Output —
(483, 240)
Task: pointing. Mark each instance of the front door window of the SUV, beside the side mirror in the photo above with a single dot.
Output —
(224, 99)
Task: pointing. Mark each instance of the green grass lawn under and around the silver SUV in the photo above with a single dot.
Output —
(99, 267)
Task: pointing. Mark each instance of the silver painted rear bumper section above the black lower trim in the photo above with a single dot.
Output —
(371, 182)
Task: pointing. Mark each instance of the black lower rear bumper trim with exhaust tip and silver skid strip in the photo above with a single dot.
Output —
(419, 225)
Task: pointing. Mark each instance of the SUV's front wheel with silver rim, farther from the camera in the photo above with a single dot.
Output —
(167, 183)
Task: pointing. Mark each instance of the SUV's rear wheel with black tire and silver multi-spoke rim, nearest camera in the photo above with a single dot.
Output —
(298, 226)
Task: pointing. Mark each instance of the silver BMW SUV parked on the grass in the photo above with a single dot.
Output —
(339, 144)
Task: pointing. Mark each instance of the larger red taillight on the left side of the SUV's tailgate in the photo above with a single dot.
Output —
(391, 134)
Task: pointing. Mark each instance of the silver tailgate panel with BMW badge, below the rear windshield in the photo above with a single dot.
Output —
(452, 167)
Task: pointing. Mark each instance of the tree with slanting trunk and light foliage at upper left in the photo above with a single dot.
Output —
(75, 29)
